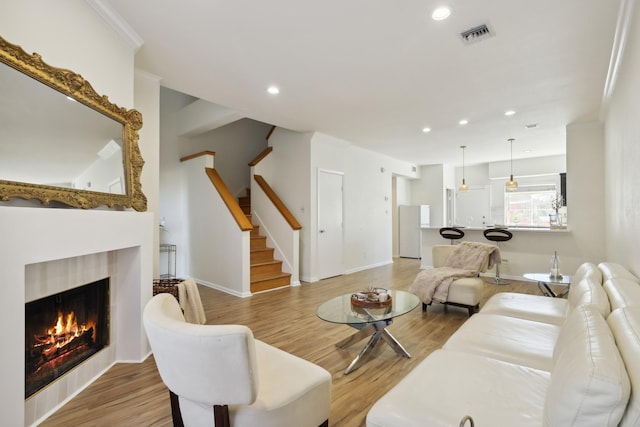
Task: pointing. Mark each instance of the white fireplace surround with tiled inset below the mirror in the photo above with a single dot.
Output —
(44, 251)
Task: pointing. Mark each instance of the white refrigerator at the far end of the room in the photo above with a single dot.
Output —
(410, 219)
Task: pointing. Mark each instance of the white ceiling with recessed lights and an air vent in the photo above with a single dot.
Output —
(376, 72)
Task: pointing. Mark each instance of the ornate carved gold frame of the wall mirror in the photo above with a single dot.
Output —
(76, 87)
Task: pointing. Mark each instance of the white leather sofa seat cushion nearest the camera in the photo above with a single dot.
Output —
(448, 385)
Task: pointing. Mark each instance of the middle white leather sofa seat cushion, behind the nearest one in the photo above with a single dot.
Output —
(520, 341)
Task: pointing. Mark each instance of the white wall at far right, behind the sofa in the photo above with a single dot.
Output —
(622, 157)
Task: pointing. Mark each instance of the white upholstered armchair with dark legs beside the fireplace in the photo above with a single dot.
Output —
(245, 381)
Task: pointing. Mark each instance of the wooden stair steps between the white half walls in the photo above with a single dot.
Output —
(266, 272)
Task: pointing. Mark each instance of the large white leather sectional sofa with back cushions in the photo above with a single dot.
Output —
(527, 360)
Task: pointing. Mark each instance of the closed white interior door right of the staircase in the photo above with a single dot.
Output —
(330, 219)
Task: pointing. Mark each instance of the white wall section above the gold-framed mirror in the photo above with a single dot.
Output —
(71, 35)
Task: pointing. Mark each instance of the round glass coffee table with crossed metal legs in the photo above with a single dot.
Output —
(369, 322)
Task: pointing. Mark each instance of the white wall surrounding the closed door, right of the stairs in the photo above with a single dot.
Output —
(368, 203)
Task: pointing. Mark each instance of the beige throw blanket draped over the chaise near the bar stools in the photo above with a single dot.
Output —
(468, 259)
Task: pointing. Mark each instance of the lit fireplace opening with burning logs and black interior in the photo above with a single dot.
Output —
(62, 330)
